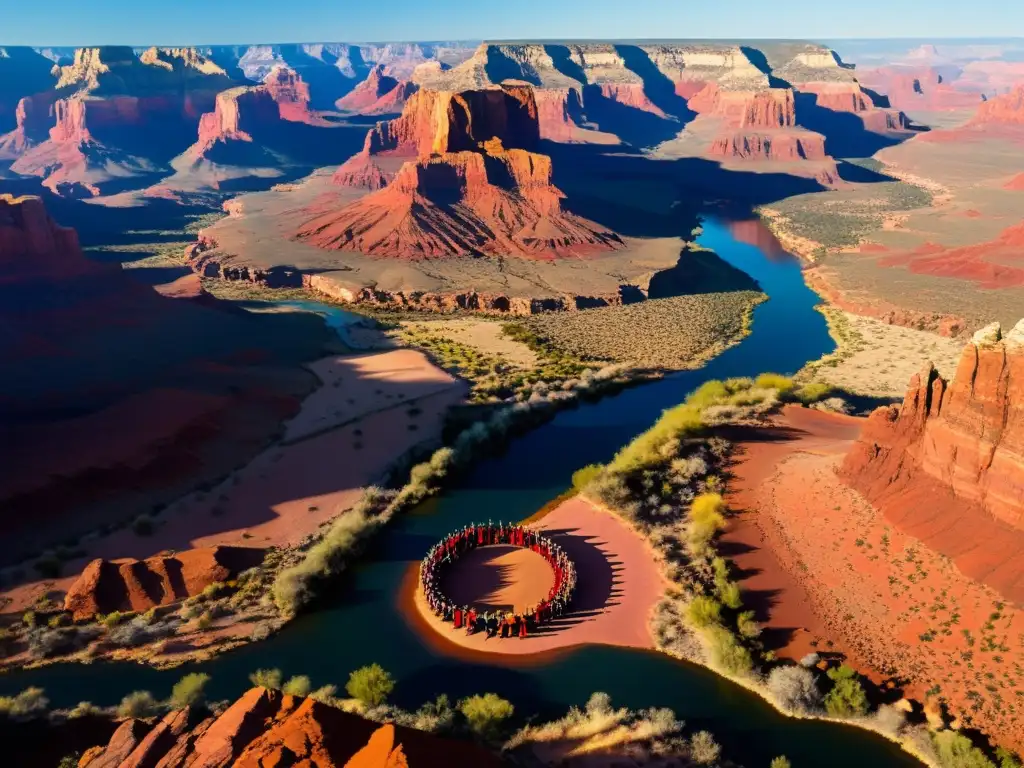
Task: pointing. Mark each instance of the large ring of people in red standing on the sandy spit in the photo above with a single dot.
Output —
(497, 624)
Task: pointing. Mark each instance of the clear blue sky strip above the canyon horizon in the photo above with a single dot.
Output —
(208, 22)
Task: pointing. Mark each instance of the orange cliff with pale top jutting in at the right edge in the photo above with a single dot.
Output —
(956, 446)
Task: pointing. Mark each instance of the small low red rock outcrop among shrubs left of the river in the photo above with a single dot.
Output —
(107, 586)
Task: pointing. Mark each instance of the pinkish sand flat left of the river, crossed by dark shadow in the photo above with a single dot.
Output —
(371, 410)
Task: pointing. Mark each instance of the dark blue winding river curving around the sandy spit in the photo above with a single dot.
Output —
(365, 627)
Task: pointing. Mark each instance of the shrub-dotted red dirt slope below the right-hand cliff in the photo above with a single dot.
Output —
(820, 558)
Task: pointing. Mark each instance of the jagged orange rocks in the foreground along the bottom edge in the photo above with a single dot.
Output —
(268, 729)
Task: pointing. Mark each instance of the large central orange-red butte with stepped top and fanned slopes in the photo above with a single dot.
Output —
(464, 194)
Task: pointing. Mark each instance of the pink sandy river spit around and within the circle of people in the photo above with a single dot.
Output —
(620, 583)
